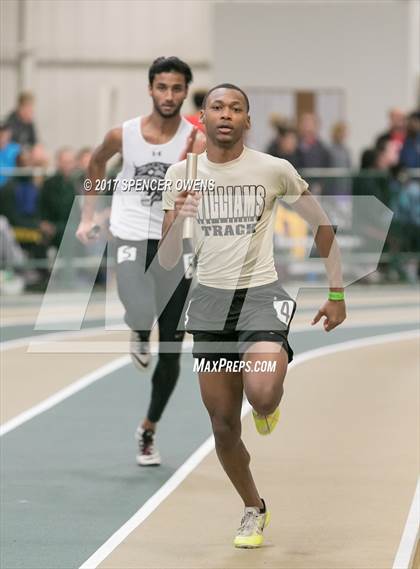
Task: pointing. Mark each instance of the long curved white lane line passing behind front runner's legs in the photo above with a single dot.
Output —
(208, 446)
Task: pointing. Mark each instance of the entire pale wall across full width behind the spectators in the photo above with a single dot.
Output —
(87, 60)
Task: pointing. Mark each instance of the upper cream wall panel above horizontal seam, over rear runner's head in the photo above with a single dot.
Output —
(115, 30)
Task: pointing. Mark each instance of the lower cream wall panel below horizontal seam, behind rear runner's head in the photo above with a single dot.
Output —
(73, 112)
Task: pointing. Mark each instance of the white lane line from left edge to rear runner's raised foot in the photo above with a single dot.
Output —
(63, 394)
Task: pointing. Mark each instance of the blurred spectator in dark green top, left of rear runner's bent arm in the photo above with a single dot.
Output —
(57, 197)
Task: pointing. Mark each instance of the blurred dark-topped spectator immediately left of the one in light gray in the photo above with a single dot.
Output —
(312, 152)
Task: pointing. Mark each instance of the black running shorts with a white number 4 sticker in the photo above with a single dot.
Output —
(225, 323)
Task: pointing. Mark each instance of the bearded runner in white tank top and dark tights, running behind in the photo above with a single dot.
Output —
(148, 146)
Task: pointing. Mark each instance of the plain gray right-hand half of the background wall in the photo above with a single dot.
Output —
(368, 49)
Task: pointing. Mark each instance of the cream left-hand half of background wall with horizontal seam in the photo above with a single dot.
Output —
(88, 59)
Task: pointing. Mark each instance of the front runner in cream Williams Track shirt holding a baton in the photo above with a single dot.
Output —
(239, 314)
